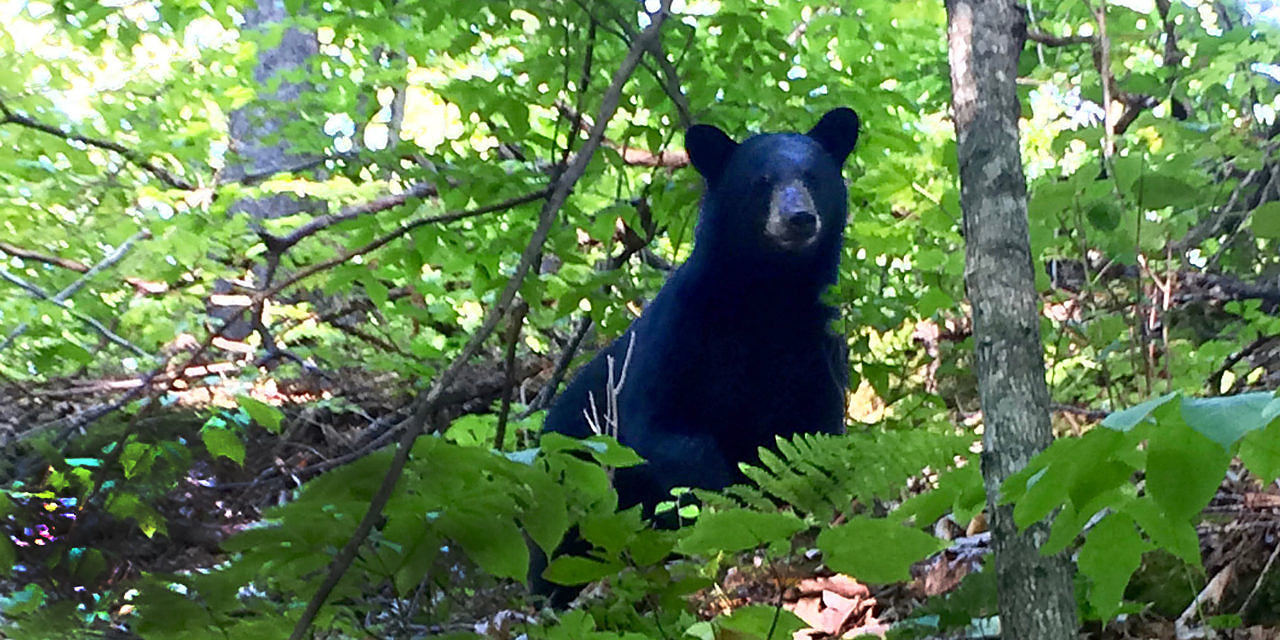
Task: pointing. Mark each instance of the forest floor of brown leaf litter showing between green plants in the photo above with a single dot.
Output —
(335, 420)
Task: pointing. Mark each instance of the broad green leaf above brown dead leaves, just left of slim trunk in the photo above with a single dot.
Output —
(876, 551)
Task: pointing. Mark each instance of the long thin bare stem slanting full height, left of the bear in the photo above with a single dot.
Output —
(426, 406)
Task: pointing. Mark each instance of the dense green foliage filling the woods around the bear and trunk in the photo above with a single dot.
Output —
(185, 205)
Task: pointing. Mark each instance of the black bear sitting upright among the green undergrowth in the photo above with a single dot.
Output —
(735, 350)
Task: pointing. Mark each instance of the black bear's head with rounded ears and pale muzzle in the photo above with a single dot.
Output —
(778, 200)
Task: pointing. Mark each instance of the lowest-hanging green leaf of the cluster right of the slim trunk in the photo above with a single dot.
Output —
(1109, 557)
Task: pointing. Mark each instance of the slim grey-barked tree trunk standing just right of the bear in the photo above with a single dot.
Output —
(985, 40)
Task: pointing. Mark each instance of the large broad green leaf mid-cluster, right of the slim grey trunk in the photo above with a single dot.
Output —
(1183, 467)
